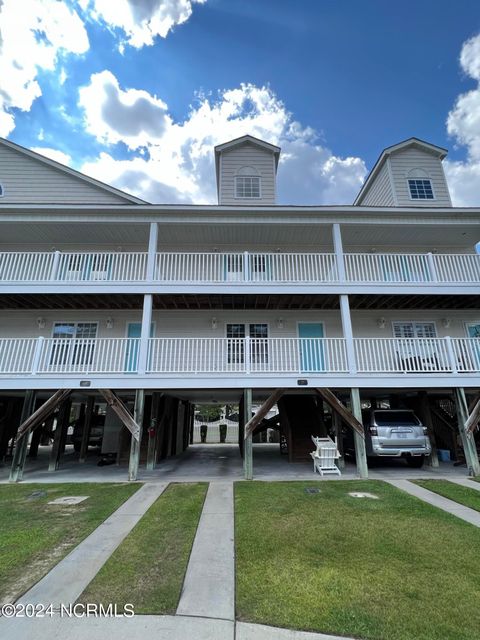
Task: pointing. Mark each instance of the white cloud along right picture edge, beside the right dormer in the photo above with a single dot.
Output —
(463, 124)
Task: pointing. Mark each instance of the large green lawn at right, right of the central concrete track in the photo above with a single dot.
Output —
(389, 569)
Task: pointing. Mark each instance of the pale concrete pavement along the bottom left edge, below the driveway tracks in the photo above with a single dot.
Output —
(135, 628)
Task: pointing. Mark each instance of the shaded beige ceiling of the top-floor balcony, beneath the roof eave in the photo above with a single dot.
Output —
(201, 235)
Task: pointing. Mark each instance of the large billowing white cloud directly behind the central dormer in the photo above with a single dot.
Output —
(175, 161)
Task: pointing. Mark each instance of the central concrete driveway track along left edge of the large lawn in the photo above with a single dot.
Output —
(209, 585)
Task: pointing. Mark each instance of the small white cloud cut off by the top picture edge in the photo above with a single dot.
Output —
(141, 20)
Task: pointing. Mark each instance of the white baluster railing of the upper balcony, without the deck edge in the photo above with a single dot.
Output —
(246, 268)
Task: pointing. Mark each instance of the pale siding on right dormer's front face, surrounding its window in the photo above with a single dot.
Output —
(402, 162)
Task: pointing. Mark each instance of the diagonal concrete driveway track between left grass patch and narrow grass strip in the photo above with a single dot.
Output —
(68, 579)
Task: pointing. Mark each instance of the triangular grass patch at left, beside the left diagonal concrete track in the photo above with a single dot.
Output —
(34, 535)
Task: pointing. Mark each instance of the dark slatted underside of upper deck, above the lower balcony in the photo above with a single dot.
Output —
(226, 301)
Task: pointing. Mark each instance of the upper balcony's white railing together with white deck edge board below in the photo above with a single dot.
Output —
(237, 272)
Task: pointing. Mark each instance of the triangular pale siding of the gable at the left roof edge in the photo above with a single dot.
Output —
(26, 180)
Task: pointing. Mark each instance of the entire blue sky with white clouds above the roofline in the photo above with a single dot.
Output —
(137, 92)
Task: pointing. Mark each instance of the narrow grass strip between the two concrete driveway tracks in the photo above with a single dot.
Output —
(147, 569)
